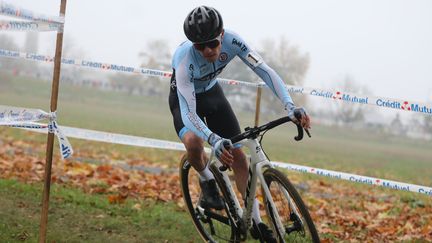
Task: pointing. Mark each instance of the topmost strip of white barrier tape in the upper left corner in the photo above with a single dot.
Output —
(12, 11)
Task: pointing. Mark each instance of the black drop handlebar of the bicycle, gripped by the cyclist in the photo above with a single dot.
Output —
(252, 133)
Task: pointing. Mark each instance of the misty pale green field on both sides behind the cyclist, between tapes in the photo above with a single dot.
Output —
(342, 149)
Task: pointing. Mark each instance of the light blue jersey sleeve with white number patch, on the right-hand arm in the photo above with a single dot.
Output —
(253, 60)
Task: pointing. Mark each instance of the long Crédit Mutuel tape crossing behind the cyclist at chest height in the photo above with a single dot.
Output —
(333, 95)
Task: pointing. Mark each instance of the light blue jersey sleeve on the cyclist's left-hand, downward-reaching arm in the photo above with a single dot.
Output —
(187, 100)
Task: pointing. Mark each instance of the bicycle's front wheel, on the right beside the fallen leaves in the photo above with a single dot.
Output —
(297, 223)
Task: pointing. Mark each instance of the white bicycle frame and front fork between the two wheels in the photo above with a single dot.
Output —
(258, 161)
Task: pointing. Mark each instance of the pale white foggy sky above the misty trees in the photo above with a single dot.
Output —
(385, 45)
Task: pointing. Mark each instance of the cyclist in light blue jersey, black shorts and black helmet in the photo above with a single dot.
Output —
(200, 111)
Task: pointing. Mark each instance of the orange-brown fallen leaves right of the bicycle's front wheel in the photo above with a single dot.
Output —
(371, 215)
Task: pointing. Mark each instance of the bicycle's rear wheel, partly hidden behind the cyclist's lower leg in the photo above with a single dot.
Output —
(213, 225)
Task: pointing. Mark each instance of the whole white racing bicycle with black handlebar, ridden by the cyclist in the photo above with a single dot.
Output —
(285, 211)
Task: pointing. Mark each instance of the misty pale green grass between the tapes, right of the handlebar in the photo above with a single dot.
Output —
(373, 155)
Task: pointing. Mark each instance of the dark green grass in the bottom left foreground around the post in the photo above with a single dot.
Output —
(78, 217)
